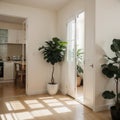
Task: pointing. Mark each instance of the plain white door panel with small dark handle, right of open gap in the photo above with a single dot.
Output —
(89, 86)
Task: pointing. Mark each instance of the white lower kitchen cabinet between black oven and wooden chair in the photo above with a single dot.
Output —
(8, 70)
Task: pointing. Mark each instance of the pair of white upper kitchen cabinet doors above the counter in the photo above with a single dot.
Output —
(16, 36)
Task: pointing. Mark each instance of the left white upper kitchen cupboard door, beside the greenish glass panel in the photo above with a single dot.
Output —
(12, 36)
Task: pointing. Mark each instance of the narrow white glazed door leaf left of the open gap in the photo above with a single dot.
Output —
(71, 77)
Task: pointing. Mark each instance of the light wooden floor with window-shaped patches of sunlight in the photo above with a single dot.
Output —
(45, 107)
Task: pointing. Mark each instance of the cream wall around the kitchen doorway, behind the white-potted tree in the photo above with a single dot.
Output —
(41, 27)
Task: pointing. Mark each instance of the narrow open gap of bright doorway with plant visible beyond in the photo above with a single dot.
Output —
(80, 22)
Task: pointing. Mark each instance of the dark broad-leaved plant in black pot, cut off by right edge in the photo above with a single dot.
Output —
(112, 70)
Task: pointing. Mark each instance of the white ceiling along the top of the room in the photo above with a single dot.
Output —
(48, 4)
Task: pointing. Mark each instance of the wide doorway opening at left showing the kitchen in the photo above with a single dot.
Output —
(12, 56)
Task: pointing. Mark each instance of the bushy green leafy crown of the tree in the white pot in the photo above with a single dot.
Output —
(54, 50)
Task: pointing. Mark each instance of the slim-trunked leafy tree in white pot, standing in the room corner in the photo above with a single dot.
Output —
(53, 52)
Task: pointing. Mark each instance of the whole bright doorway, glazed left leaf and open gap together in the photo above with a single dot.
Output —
(75, 57)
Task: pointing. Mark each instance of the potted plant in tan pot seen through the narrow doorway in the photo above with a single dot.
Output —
(79, 68)
